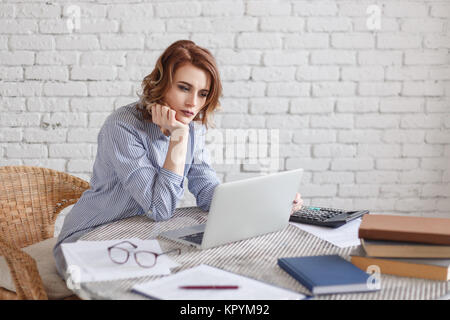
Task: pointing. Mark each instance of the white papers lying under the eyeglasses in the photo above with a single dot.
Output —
(89, 261)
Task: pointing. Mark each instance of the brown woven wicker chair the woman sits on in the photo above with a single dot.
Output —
(30, 200)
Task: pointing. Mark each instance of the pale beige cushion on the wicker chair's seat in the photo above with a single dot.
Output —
(42, 252)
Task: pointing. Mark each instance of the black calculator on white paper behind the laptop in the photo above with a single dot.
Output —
(325, 217)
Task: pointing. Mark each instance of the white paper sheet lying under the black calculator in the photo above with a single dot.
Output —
(344, 236)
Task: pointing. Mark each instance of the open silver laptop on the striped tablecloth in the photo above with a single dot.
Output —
(243, 209)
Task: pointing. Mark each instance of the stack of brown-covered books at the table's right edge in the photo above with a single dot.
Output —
(405, 246)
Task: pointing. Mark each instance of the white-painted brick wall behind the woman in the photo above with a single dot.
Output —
(364, 111)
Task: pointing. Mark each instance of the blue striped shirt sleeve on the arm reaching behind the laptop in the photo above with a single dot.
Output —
(202, 179)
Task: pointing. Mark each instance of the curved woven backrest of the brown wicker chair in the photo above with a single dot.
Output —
(31, 199)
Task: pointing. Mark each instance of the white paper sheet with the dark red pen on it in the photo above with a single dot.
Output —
(168, 287)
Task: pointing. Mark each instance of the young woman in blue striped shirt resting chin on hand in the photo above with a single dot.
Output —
(147, 149)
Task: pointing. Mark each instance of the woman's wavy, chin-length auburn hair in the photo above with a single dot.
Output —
(158, 82)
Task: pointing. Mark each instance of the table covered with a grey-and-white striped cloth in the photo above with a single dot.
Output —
(255, 258)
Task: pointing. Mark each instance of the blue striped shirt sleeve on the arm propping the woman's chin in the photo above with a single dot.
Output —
(157, 190)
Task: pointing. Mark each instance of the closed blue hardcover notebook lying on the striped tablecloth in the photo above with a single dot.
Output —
(327, 274)
